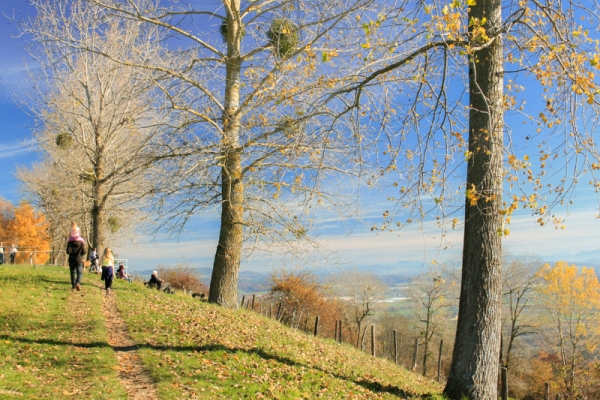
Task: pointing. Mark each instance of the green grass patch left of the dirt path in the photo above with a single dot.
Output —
(52, 342)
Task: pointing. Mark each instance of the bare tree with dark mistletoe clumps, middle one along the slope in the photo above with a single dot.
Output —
(247, 81)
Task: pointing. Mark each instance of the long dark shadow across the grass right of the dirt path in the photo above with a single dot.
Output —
(372, 386)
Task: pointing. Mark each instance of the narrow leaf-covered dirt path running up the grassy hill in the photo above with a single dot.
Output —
(136, 380)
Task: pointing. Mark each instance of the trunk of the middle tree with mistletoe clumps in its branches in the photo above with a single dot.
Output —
(224, 280)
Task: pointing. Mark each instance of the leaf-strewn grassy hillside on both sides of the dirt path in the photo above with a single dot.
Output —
(53, 344)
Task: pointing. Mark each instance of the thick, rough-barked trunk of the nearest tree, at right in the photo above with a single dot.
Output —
(474, 368)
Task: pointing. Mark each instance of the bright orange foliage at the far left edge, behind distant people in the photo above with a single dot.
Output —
(27, 229)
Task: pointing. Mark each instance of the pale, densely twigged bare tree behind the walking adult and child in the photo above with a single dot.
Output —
(99, 121)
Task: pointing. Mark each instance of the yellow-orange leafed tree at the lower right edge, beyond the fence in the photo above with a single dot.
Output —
(571, 296)
